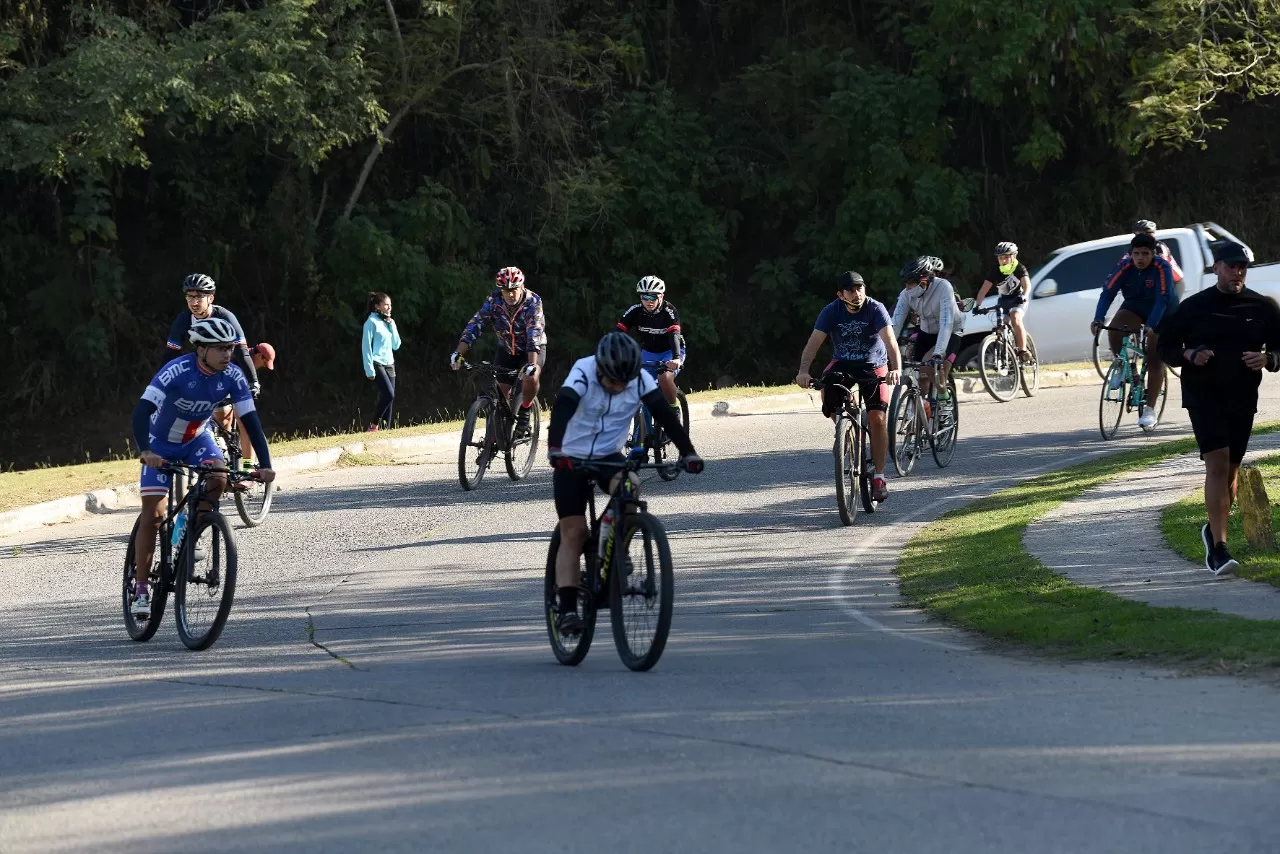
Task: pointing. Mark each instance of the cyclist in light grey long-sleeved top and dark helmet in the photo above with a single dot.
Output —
(935, 303)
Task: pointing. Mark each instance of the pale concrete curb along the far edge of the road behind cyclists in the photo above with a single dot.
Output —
(126, 496)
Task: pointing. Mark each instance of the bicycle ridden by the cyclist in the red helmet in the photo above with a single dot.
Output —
(491, 424)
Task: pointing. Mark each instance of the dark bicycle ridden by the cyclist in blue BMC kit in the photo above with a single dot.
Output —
(190, 569)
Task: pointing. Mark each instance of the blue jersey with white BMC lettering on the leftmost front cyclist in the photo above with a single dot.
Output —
(186, 395)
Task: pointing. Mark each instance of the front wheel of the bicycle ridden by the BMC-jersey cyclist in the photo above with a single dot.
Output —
(204, 591)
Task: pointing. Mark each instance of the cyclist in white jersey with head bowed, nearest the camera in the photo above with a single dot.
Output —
(592, 421)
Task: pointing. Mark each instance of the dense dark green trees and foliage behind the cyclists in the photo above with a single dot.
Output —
(308, 152)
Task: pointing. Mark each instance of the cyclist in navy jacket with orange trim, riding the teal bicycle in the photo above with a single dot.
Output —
(1148, 285)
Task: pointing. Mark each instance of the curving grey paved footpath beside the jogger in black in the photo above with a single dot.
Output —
(1110, 538)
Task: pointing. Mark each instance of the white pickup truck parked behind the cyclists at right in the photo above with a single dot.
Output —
(1066, 289)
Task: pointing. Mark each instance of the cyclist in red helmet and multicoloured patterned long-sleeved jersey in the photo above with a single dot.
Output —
(516, 317)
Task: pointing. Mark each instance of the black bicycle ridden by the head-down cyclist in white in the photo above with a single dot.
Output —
(639, 602)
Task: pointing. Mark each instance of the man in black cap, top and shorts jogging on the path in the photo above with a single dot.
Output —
(1223, 339)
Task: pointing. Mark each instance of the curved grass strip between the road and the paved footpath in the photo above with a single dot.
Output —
(971, 568)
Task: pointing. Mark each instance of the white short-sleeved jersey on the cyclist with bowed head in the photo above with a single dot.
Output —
(604, 422)
